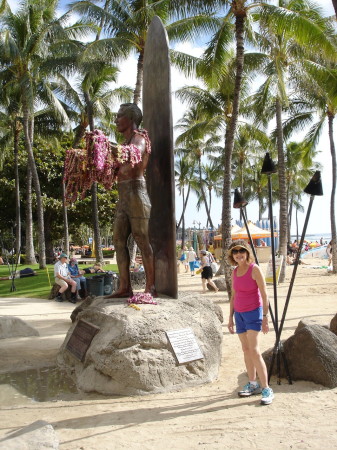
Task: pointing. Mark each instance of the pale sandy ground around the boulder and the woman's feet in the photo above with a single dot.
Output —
(302, 416)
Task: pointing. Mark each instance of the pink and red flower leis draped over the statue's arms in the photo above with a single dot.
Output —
(96, 163)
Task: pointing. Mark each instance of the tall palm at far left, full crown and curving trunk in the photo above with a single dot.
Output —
(27, 44)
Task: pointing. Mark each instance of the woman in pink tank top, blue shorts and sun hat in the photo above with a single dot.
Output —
(249, 305)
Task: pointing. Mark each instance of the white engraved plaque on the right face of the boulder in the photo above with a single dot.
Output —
(184, 345)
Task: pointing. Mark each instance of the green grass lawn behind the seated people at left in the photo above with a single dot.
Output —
(34, 287)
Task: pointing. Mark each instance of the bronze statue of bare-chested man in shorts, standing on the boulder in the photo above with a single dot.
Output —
(134, 207)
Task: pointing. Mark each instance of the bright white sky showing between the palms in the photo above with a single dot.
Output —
(319, 222)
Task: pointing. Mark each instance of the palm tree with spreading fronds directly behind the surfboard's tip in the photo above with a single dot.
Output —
(127, 22)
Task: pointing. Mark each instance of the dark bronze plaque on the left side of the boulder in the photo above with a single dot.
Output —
(81, 338)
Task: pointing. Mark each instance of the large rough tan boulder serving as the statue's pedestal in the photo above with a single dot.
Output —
(131, 354)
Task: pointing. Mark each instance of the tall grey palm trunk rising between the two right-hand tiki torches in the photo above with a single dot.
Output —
(282, 190)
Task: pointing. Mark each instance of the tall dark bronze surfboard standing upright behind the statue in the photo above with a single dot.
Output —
(157, 112)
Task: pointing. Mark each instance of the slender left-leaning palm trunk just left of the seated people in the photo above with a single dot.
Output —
(39, 205)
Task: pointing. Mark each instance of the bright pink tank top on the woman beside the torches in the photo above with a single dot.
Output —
(247, 294)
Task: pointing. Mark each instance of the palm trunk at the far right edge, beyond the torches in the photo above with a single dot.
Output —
(333, 194)
